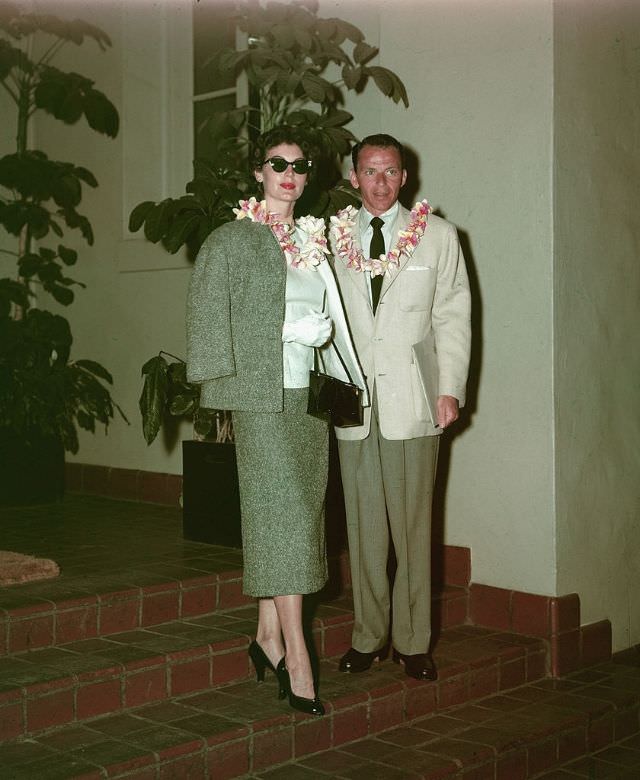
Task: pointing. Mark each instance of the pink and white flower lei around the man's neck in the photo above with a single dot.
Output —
(342, 234)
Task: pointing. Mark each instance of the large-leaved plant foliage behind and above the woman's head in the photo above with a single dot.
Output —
(299, 67)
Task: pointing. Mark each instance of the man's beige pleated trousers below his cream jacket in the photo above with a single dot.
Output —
(388, 486)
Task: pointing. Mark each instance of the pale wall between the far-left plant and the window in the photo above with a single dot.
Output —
(134, 302)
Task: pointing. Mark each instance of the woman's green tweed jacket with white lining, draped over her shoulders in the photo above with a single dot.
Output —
(235, 313)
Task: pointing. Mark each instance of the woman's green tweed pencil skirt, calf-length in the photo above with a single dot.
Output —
(282, 473)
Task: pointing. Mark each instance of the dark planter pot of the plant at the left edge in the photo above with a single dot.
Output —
(31, 473)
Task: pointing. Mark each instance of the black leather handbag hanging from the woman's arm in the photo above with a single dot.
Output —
(331, 399)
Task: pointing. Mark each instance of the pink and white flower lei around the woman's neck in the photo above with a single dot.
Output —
(312, 252)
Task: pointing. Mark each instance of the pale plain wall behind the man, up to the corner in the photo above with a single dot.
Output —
(479, 77)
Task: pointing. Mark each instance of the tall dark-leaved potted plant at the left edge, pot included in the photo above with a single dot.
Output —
(44, 394)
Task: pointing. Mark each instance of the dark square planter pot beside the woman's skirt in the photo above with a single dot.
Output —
(210, 496)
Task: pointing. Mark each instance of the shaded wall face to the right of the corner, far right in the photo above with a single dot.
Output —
(597, 300)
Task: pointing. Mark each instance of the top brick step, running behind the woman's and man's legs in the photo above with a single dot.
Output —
(56, 612)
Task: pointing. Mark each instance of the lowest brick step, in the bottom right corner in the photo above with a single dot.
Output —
(584, 725)
